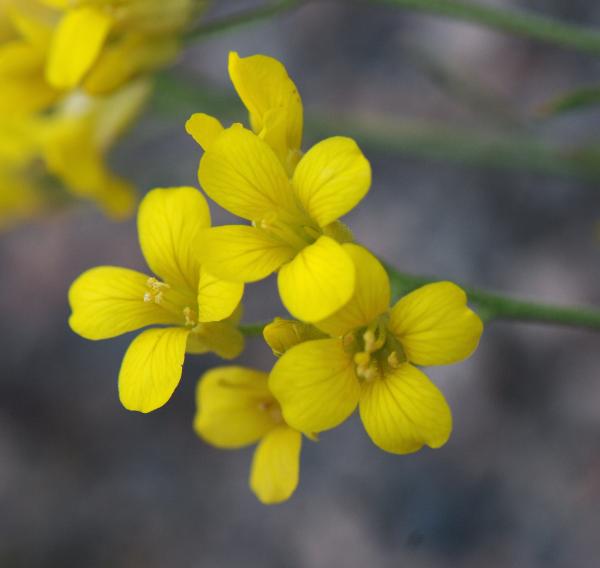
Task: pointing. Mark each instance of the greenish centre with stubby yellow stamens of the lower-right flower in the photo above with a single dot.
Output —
(376, 350)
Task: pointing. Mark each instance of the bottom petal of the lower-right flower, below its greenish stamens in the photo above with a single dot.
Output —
(405, 411)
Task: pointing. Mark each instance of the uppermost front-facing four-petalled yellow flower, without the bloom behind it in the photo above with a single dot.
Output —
(293, 221)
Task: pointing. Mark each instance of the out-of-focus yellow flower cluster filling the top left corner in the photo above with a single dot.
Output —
(74, 74)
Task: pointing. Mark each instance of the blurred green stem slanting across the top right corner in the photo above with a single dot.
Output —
(517, 22)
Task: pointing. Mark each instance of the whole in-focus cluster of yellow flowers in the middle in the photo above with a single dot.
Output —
(348, 345)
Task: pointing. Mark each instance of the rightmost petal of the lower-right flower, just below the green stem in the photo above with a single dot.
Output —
(435, 326)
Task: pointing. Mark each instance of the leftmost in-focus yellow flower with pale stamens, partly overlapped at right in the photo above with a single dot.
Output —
(198, 310)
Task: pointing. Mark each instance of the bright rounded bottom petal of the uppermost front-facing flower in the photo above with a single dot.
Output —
(318, 281)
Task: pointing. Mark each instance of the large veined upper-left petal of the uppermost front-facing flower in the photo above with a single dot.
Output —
(243, 175)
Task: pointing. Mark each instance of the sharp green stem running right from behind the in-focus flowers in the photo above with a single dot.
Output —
(499, 307)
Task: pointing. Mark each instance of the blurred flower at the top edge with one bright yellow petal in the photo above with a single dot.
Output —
(105, 43)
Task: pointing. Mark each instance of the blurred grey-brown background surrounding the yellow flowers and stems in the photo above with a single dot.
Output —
(447, 116)
